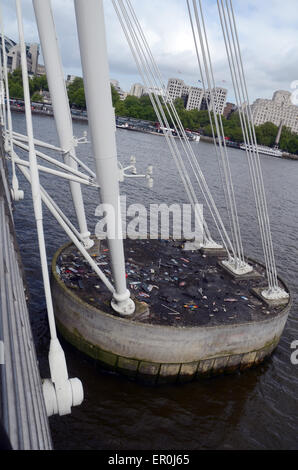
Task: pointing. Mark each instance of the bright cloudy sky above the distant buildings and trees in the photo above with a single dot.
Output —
(268, 36)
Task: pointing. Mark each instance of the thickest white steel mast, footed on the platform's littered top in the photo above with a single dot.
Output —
(92, 40)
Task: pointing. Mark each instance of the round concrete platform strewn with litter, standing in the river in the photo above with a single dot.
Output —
(192, 318)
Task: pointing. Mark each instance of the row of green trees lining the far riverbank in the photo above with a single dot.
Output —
(141, 108)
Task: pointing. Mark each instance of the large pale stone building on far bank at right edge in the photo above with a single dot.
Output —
(279, 109)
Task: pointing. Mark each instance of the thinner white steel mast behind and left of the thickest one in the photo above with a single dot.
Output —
(57, 87)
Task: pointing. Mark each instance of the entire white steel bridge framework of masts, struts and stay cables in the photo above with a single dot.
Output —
(61, 392)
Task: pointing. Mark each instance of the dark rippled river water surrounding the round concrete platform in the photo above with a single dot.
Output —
(252, 410)
